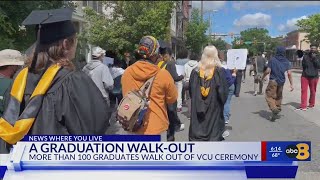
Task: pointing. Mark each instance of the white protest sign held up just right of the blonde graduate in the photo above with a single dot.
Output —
(237, 58)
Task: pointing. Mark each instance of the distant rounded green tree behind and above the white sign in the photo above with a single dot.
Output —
(260, 35)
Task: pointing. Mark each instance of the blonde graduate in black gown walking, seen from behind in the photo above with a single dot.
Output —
(208, 91)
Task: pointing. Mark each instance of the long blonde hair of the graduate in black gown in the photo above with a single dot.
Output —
(209, 59)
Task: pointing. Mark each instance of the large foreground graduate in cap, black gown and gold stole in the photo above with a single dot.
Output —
(48, 95)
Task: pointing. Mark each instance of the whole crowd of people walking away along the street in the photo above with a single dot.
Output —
(44, 94)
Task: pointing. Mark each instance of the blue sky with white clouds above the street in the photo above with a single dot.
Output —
(278, 17)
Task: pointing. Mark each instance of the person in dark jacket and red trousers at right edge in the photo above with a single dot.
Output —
(309, 78)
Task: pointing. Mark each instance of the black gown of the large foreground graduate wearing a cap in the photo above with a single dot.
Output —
(73, 105)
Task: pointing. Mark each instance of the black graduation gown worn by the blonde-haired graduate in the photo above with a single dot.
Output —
(207, 121)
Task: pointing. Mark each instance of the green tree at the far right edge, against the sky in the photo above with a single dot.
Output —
(311, 25)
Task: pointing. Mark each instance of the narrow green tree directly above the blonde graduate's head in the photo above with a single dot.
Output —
(195, 34)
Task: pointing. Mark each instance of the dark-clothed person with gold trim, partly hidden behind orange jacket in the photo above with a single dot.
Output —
(166, 63)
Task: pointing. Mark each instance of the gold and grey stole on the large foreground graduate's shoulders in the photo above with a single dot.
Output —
(23, 122)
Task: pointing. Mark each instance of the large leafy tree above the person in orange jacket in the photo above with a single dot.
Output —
(128, 23)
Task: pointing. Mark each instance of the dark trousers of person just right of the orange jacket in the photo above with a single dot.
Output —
(174, 120)
